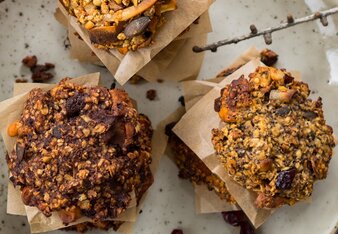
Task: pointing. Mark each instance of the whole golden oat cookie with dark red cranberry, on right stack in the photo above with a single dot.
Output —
(274, 139)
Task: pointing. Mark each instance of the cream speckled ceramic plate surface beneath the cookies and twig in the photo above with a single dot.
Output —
(28, 27)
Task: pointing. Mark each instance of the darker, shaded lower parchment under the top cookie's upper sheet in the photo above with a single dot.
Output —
(164, 63)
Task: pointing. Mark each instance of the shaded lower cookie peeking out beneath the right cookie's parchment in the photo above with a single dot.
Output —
(192, 168)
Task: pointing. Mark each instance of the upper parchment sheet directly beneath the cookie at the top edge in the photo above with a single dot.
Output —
(176, 22)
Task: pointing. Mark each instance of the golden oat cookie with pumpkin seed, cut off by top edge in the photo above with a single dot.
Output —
(123, 24)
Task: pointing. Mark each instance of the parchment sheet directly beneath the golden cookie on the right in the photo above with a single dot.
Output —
(195, 130)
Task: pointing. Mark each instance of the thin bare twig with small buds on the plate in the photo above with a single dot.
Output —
(266, 33)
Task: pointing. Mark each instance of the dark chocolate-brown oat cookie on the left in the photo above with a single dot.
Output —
(80, 151)
